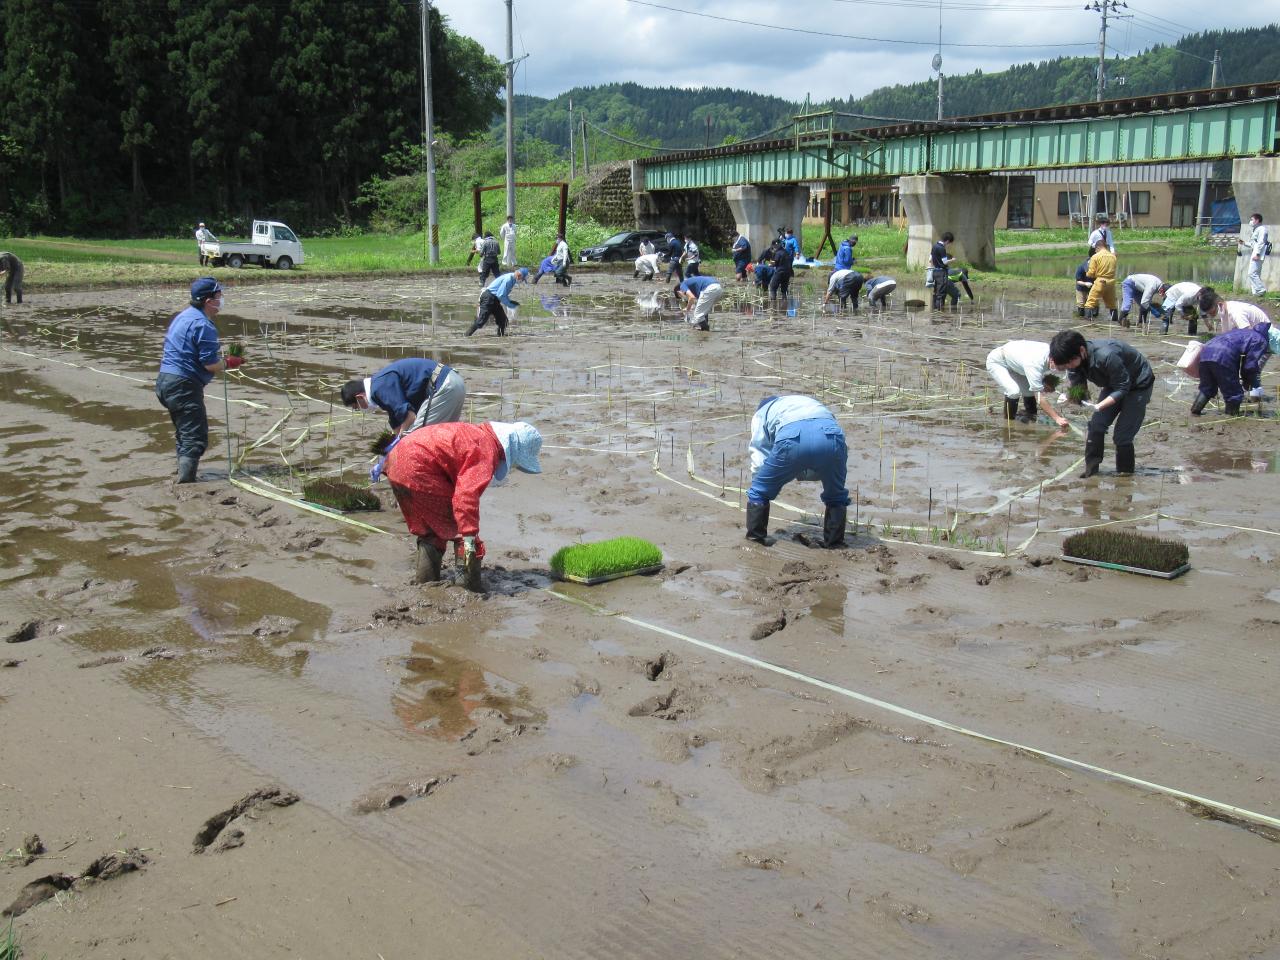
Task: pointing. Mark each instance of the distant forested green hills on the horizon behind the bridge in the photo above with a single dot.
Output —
(678, 118)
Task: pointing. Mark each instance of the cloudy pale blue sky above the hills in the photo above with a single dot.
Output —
(587, 43)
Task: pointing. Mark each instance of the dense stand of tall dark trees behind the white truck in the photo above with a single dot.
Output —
(141, 116)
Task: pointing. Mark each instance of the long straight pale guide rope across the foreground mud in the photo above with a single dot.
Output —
(1228, 812)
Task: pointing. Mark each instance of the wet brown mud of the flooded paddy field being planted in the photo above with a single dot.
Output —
(513, 774)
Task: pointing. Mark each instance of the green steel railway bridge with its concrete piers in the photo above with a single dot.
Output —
(949, 171)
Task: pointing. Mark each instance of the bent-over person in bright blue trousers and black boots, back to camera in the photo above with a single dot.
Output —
(797, 437)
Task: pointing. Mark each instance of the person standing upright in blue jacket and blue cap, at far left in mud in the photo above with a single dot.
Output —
(193, 356)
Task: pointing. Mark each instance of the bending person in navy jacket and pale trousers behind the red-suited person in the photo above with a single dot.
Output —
(413, 392)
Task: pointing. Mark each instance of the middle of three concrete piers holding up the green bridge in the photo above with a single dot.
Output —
(966, 205)
